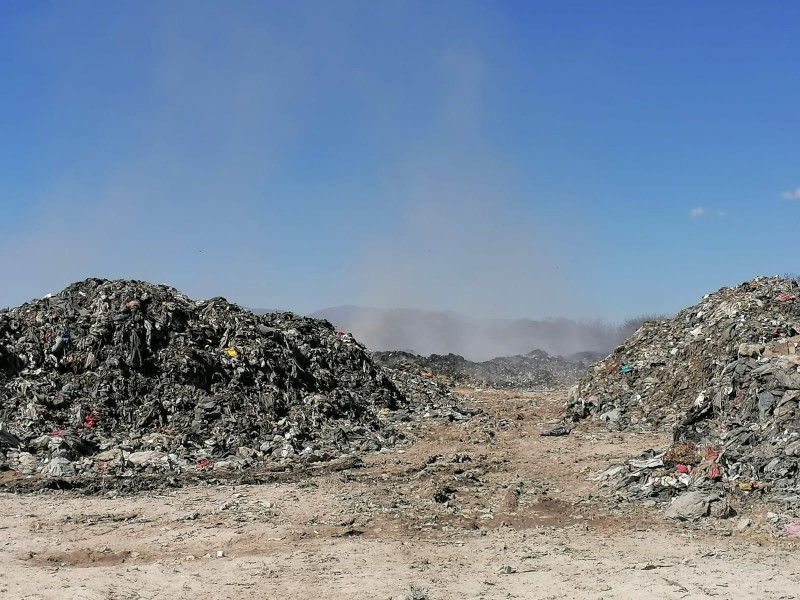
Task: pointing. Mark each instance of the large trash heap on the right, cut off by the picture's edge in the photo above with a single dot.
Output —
(723, 374)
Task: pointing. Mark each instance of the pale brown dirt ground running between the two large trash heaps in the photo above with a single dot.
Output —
(482, 509)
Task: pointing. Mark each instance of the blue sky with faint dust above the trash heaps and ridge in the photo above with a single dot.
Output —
(578, 159)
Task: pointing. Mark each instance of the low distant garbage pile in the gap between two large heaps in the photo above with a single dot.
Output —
(537, 369)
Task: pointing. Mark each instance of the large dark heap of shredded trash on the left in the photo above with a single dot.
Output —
(120, 376)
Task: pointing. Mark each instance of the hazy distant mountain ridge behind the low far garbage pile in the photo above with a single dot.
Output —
(429, 332)
